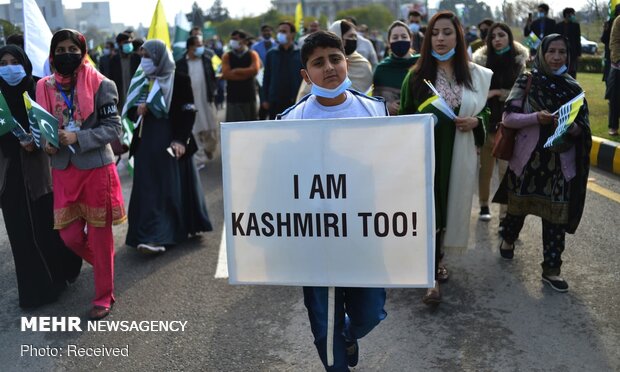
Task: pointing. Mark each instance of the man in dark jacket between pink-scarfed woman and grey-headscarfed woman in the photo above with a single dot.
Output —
(123, 65)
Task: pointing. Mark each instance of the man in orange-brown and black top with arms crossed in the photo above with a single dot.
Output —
(239, 68)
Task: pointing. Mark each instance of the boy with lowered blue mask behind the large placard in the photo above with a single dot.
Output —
(356, 311)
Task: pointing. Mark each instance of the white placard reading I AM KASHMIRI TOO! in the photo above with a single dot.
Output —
(346, 202)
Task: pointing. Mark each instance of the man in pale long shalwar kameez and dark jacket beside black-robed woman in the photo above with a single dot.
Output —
(196, 63)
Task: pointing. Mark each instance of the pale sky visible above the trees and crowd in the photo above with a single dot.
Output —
(133, 12)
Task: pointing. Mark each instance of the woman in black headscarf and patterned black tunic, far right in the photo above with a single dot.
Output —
(547, 182)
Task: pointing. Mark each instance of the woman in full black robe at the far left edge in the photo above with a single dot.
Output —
(42, 263)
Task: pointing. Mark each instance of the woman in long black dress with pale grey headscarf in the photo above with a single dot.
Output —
(167, 203)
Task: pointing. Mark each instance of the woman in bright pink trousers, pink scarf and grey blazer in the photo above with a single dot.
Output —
(87, 190)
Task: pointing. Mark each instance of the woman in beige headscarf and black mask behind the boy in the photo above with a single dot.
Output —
(359, 69)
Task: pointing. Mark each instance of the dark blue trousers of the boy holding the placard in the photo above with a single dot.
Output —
(358, 311)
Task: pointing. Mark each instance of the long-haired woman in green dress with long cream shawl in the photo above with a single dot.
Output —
(443, 82)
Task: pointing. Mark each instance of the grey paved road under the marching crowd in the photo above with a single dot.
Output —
(496, 315)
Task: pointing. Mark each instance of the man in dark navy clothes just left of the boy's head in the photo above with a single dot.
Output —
(282, 78)
